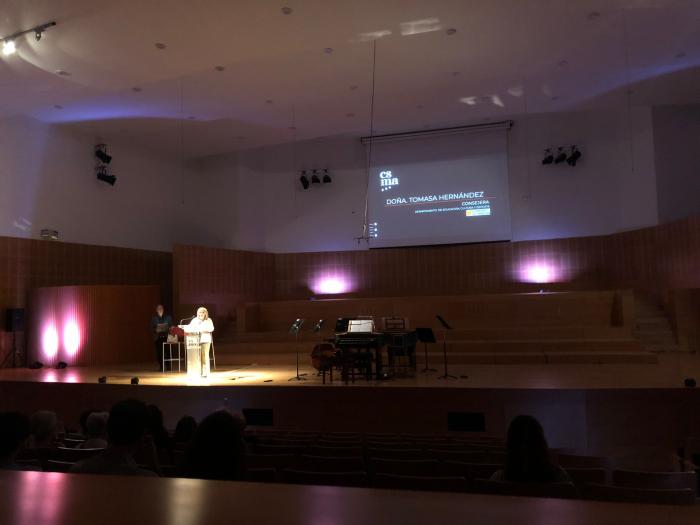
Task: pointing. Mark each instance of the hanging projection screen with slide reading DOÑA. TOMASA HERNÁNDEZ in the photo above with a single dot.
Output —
(459, 195)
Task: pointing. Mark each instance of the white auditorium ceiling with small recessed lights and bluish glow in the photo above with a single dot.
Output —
(507, 58)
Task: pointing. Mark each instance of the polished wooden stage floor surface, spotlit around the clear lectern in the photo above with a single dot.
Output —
(669, 372)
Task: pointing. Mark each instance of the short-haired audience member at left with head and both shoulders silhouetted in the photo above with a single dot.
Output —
(126, 431)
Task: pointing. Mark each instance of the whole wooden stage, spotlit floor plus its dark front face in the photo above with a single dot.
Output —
(609, 409)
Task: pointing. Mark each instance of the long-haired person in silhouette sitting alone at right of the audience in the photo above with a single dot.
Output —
(527, 459)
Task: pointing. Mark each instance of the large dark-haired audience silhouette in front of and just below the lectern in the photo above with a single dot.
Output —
(217, 449)
